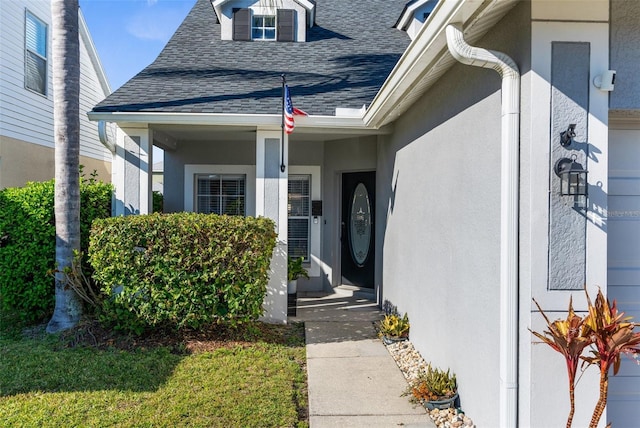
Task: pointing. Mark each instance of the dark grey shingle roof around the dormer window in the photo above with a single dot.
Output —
(348, 55)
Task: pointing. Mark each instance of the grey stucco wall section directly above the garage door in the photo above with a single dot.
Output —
(625, 55)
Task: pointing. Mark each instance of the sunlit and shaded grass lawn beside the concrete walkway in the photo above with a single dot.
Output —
(254, 381)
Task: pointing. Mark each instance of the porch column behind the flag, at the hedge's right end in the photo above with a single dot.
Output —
(271, 202)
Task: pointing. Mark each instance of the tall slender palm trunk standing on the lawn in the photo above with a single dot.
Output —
(66, 117)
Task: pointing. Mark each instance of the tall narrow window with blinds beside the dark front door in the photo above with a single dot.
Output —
(299, 215)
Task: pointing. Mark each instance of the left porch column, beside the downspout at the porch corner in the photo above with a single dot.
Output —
(131, 172)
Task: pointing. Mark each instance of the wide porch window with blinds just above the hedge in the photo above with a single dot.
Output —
(220, 194)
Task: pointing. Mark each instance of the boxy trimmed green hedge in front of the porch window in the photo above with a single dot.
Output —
(183, 270)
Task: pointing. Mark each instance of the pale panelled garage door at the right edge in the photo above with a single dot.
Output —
(624, 264)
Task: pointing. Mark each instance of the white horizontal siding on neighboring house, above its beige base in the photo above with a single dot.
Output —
(26, 115)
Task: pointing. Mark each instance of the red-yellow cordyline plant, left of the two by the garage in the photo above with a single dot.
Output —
(568, 338)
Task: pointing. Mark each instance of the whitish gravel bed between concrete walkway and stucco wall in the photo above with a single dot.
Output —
(411, 364)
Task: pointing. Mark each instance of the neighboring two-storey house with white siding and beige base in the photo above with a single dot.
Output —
(26, 96)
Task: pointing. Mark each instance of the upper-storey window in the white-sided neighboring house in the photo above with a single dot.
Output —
(35, 54)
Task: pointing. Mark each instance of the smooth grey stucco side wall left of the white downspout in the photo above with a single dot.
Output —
(440, 194)
